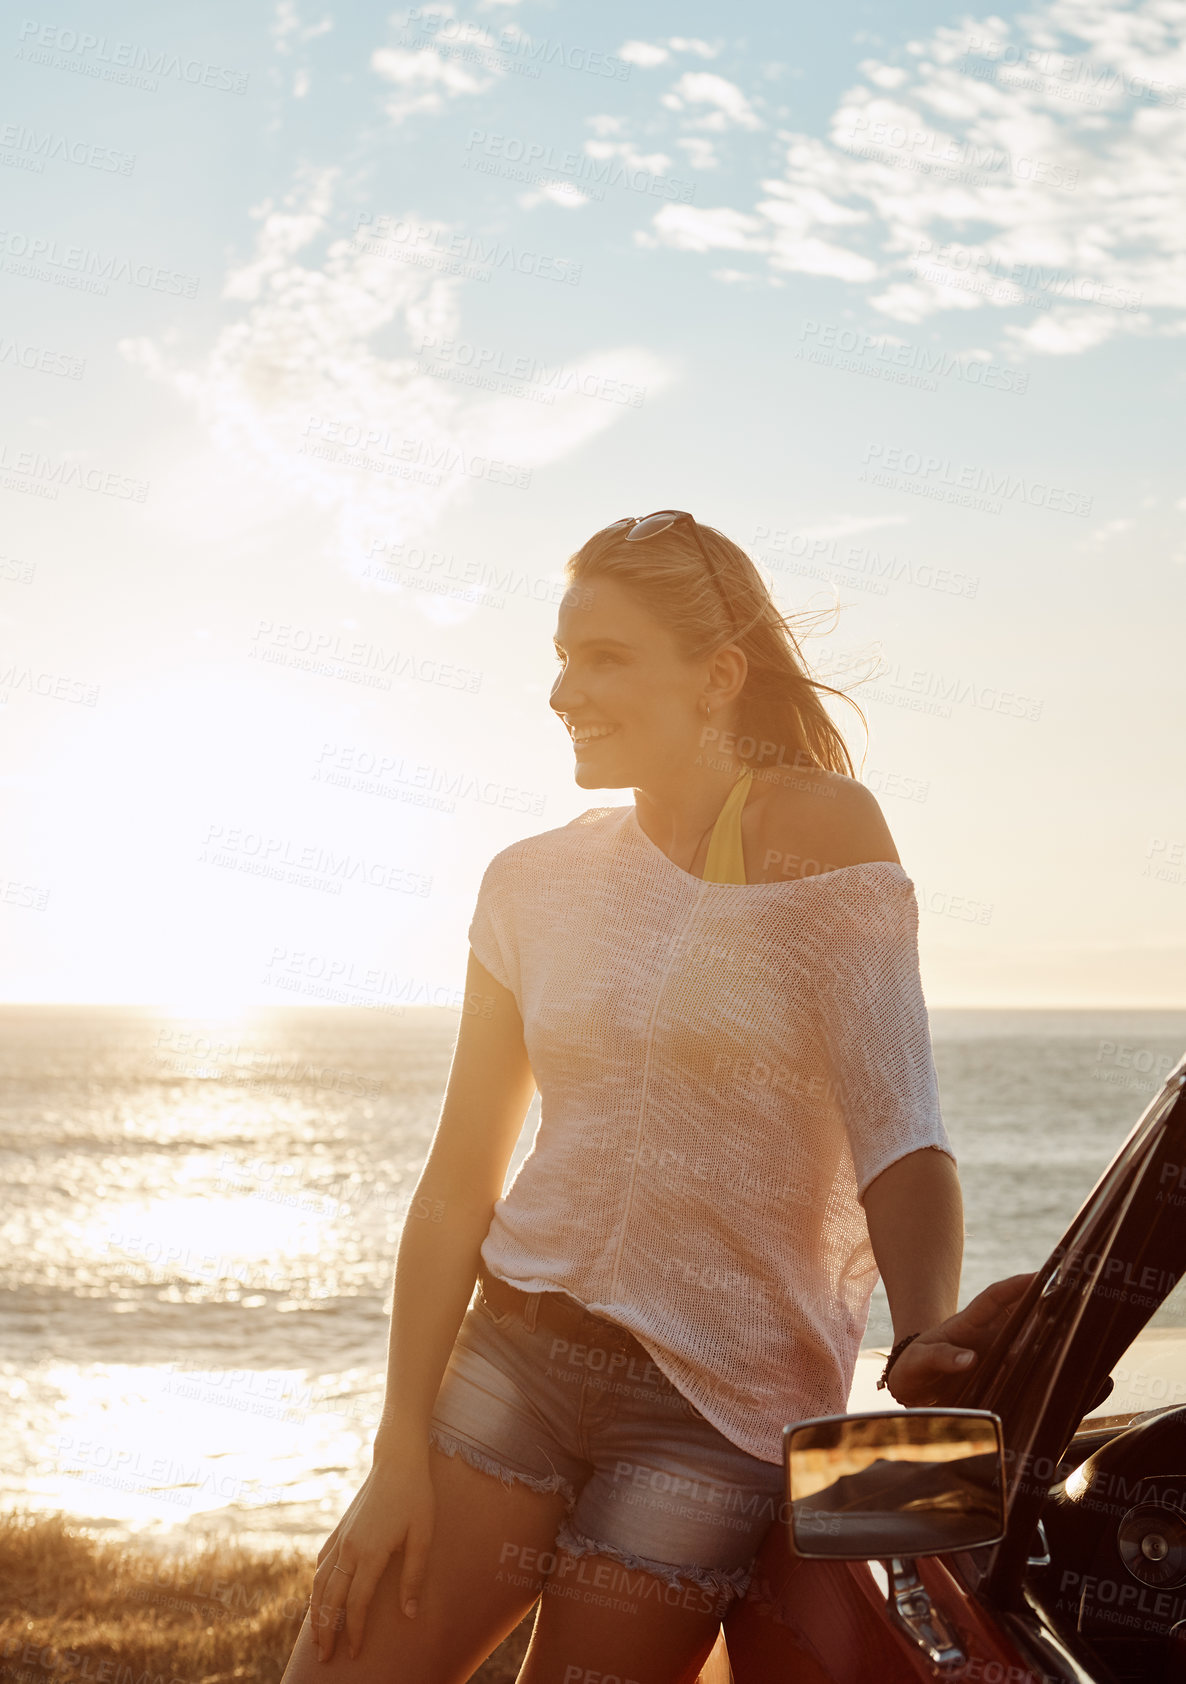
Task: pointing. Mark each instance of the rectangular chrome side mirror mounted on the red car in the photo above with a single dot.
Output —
(907, 1483)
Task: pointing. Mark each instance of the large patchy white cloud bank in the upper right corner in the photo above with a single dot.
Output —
(1034, 168)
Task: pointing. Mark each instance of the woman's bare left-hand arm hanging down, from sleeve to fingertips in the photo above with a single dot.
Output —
(486, 1100)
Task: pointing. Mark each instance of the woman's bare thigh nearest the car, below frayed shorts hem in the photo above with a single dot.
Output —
(601, 1619)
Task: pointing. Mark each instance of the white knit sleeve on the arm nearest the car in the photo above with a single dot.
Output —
(877, 1030)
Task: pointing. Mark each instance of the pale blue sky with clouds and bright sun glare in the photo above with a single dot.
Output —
(331, 334)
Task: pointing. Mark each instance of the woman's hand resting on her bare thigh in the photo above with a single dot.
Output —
(393, 1510)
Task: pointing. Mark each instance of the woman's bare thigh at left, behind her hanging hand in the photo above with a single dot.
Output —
(483, 1577)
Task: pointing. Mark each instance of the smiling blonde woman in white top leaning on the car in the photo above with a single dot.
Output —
(717, 993)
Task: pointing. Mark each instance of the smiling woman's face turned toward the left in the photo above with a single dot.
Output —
(622, 681)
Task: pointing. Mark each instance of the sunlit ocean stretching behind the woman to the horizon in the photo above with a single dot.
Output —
(201, 1220)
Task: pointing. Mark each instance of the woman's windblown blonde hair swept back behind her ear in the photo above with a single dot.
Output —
(781, 703)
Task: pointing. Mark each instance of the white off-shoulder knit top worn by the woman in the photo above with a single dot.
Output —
(724, 1070)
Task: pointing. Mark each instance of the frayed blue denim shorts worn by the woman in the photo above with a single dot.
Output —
(648, 1481)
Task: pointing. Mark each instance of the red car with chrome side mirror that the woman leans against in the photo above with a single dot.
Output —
(1005, 1540)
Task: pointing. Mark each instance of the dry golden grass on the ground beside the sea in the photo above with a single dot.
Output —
(83, 1611)
